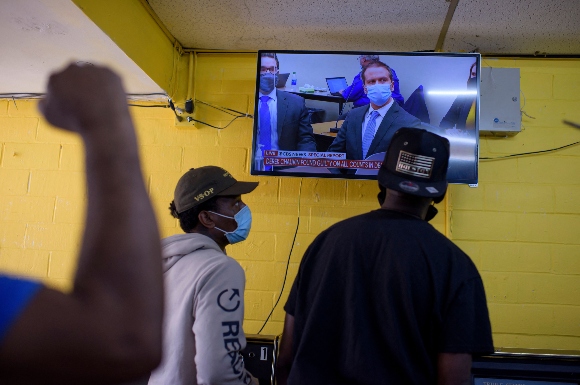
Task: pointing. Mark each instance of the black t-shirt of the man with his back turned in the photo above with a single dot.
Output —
(377, 297)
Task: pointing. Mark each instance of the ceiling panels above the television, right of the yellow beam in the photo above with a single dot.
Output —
(488, 26)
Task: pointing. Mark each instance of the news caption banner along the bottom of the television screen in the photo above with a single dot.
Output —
(316, 159)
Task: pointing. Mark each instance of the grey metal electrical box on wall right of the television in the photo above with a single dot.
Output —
(499, 113)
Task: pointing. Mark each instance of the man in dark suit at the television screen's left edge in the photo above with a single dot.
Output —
(283, 111)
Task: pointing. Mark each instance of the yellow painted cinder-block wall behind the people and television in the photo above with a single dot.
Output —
(520, 225)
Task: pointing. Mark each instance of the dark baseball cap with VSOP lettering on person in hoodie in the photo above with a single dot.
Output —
(200, 184)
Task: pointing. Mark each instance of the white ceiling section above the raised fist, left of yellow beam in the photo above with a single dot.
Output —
(40, 36)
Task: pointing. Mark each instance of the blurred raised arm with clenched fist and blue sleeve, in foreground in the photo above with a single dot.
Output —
(107, 329)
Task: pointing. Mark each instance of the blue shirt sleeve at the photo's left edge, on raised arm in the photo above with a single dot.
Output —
(15, 294)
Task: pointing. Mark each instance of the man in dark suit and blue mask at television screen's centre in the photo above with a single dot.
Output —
(368, 130)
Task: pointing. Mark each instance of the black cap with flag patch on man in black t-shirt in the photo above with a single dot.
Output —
(416, 163)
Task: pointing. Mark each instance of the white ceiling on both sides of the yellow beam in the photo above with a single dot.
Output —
(39, 36)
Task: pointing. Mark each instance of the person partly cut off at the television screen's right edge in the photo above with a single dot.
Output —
(461, 114)
